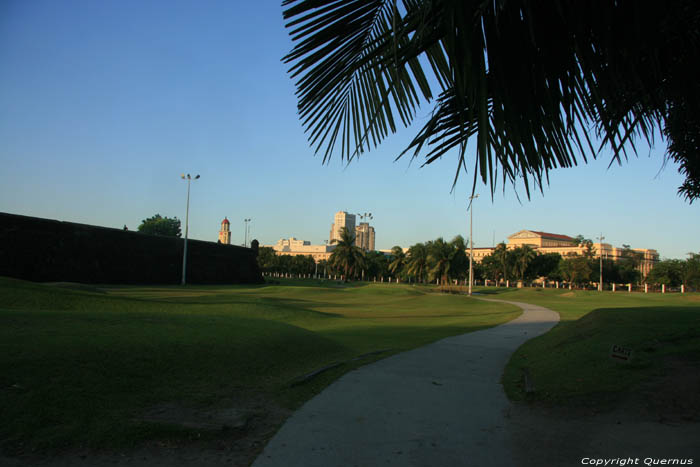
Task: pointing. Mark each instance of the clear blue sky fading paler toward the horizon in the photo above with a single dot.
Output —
(104, 104)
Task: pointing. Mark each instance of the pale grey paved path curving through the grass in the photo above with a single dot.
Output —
(441, 404)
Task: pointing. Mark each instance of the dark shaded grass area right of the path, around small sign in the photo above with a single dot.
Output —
(572, 365)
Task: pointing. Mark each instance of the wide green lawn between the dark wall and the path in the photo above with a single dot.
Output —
(78, 365)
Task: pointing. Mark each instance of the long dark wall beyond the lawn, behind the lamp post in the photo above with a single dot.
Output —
(45, 250)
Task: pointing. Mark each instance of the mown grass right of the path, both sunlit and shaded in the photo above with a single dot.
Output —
(571, 364)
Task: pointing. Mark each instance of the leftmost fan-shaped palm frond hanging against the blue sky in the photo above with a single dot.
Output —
(349, 85)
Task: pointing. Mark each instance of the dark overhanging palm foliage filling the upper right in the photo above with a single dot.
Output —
(525, 78)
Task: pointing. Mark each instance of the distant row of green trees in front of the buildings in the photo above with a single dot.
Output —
(442, 262)
